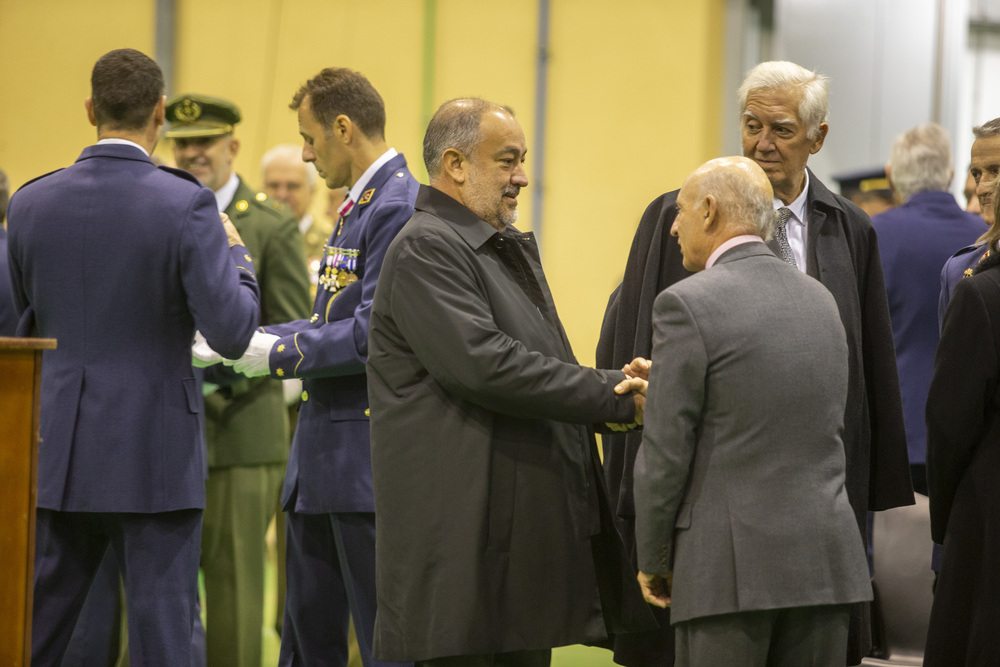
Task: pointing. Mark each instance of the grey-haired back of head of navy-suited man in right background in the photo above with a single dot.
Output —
(920, 160)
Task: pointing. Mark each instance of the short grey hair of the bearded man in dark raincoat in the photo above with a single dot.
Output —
(456, 125)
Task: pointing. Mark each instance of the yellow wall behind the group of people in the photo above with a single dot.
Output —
(633, 105)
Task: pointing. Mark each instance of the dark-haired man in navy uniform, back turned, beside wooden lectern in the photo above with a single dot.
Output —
(121, 262)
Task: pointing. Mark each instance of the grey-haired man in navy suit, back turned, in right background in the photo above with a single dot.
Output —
(915, 240)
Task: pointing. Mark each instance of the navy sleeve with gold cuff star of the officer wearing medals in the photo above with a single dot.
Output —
(340, 347)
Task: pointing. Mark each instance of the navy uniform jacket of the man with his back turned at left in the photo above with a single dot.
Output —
(121, 261)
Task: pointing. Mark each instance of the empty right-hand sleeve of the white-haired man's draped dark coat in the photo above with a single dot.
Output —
(889, 469)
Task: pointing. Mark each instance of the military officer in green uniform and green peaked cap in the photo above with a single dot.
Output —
(246, 421)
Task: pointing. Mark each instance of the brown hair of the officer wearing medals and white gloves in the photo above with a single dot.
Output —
(339, 91)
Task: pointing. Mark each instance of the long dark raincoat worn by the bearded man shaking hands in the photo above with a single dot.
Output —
(493, 533)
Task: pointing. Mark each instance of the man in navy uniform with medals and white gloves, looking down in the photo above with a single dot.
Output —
(327, 491)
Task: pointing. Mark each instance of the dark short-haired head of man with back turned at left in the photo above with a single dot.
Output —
(125, 87)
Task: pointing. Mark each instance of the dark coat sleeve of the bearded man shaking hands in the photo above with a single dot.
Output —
(445, 317)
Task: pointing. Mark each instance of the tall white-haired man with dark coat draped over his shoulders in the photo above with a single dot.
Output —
(783, 119)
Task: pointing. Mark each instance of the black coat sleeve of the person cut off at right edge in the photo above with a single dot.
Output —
(959, 399)
